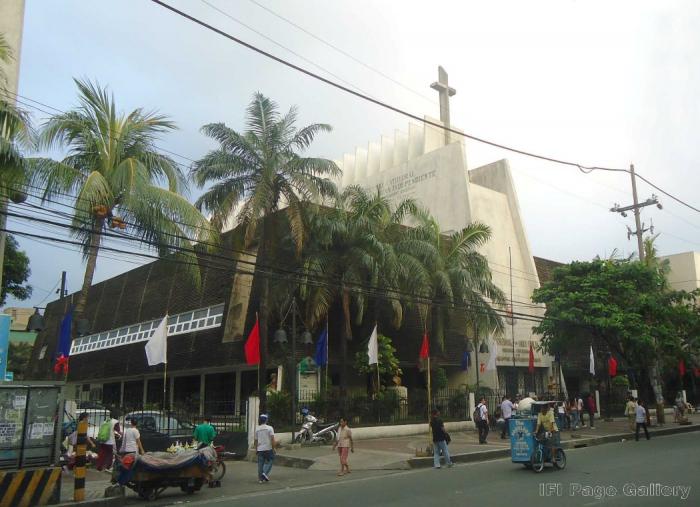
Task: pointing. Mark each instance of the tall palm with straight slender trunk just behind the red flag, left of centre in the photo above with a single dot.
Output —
(256, 173)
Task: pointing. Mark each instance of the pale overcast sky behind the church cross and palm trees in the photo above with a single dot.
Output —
(596, 82)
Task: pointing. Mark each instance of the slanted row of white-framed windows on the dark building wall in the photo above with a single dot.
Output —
(195, 320)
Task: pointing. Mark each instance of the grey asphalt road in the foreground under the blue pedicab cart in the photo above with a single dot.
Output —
(613, 474)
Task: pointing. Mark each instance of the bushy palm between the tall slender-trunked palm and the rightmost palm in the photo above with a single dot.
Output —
(360, 249)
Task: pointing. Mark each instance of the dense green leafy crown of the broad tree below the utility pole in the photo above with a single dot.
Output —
(619, 305)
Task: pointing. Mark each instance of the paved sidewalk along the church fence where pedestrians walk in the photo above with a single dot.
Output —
(397, 453)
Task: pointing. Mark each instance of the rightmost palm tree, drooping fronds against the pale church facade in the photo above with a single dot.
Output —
(460, 275)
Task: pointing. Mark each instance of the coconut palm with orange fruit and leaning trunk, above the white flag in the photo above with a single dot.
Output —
(113, 172)
